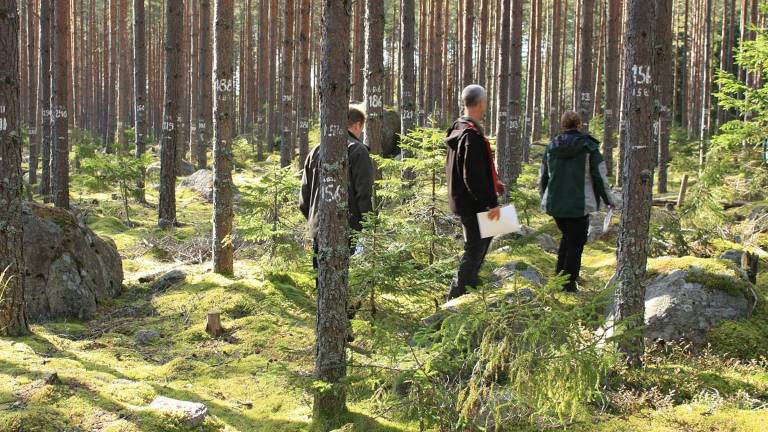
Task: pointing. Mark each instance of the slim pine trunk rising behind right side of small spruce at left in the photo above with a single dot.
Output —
(140, 85)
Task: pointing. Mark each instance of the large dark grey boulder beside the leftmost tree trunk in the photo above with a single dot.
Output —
(70, 269)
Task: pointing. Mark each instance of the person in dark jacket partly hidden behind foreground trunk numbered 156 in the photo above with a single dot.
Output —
(361, 177)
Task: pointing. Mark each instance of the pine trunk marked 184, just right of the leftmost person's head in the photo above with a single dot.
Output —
(374, 73)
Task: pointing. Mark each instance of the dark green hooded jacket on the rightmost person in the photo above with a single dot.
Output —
(573, 177)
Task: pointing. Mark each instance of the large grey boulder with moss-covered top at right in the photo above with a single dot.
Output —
(685, 298)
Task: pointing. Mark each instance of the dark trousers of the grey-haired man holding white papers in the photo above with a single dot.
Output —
(475, 249)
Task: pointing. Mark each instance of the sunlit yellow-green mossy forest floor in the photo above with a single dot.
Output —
(257, 376)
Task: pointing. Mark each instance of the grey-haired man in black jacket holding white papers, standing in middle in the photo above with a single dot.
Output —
(473, 185)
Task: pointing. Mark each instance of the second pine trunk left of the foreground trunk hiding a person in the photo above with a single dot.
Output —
(286, 86)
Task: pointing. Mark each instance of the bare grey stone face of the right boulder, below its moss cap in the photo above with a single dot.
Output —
(676, 309)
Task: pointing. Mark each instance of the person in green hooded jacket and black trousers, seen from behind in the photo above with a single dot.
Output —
(572, 184)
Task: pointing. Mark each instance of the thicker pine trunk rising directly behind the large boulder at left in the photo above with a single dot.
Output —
(59, 103)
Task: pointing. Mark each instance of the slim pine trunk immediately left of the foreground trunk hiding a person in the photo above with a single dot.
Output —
(305, 92)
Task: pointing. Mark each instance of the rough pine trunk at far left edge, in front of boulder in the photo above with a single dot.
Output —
(13, 316)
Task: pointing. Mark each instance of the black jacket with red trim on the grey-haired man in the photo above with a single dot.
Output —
(471, 174)
